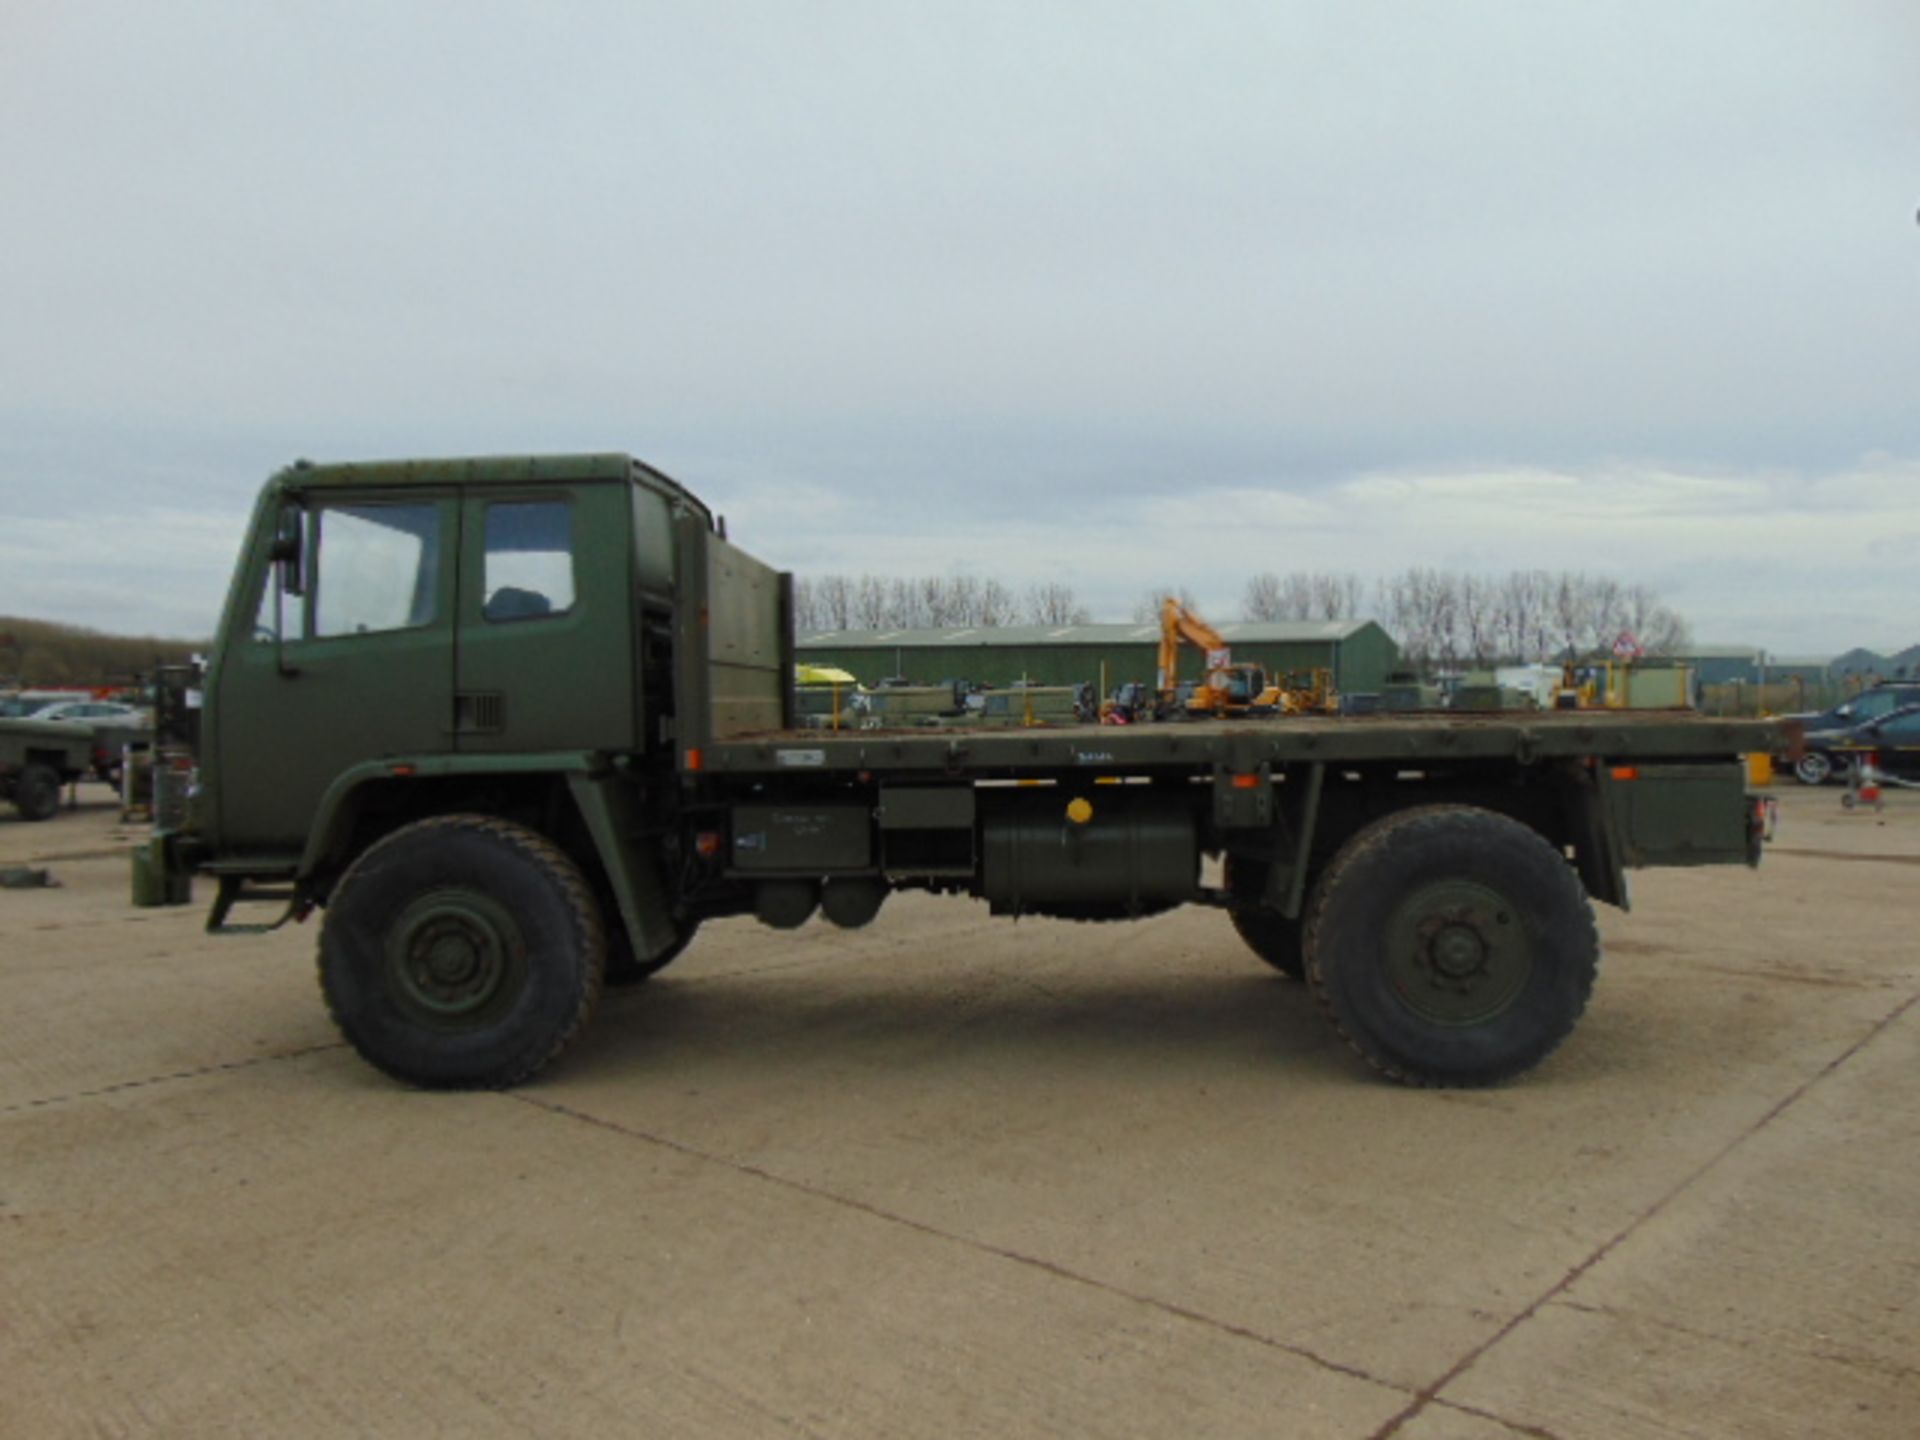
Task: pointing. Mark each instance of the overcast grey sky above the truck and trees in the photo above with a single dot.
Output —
(1116, 295)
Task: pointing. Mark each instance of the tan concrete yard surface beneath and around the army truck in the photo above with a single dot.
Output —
(953, 1176)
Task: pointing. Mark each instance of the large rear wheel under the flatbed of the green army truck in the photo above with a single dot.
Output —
(1451, 946)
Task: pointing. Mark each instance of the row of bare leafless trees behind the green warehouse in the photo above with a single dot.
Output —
(1439, 617)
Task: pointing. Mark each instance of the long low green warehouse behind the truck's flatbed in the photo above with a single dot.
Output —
(1358, 654)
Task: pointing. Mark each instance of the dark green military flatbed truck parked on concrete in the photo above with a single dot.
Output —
(521, 727)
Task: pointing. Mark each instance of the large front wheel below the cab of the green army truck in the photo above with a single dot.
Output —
(462, 951)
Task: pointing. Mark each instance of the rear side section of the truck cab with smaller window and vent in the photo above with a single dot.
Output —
(546, 621)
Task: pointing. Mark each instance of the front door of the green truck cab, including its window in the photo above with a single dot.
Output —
(352, 663)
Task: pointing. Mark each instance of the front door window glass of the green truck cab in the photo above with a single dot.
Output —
(377, 567)
